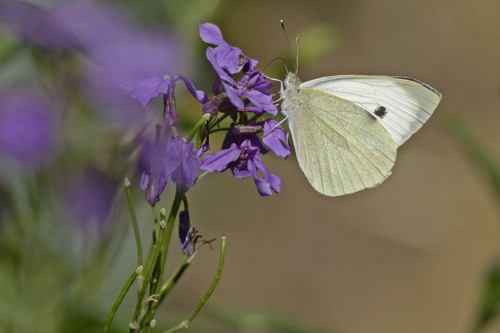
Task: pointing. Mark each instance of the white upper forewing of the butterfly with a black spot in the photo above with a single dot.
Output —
(401, 104)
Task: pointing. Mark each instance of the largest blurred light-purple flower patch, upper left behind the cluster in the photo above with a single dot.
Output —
(118, 54)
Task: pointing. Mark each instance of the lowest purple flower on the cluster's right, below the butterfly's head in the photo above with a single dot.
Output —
(244, 161)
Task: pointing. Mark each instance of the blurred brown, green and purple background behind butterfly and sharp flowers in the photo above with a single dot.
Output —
(417, 254)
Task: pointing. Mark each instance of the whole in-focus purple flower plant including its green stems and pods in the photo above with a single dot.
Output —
(241, 99)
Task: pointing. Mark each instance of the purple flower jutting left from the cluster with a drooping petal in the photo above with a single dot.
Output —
(146, 89)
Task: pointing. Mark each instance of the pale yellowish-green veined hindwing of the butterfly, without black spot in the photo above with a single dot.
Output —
(339, 146)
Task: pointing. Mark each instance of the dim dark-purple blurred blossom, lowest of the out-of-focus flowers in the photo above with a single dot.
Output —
(89, 195)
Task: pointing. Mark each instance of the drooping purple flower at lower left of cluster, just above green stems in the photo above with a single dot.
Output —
(172, 158)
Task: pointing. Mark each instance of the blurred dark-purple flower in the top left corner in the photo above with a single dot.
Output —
(36, 26)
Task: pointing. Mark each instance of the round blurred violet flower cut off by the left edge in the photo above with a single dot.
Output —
(27, 128)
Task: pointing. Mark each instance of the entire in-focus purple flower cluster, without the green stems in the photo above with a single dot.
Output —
(240, 92)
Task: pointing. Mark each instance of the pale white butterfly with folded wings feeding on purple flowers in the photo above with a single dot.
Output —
(346, 129)
